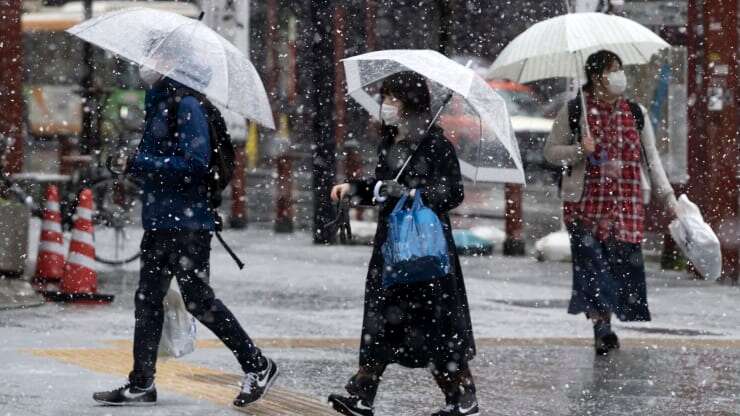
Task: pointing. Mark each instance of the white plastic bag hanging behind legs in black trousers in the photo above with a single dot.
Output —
(179, 330)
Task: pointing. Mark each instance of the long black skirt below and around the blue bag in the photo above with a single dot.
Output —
(425, 324)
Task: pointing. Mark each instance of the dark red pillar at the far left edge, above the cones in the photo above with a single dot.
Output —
(11, 84)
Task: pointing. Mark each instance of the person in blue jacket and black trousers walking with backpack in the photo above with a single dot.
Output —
(172, 162)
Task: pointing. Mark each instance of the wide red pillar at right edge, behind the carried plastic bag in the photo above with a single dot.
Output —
(713, 144)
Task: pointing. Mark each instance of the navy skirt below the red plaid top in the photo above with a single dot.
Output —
(608, 277)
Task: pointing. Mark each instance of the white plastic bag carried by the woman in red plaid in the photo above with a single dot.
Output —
(696, 239)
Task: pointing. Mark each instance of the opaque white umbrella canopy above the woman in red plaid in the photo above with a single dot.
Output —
(558, 47)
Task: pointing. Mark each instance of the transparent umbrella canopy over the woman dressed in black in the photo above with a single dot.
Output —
(494, 155)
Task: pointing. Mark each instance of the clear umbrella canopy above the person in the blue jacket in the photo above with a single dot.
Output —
(185, 50)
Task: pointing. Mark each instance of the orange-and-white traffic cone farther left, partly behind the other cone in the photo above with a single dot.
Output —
(50, 260)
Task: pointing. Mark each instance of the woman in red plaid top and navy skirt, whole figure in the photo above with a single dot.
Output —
(610, 161)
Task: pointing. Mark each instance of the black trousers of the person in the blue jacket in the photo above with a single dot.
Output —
(183, 255)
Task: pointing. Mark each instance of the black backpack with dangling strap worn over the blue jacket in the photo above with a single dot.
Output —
(221, 164)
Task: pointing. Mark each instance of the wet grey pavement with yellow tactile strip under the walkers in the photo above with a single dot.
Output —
(303, 305)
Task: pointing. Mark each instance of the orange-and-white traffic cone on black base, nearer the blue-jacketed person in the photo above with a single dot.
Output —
(80, 281)
